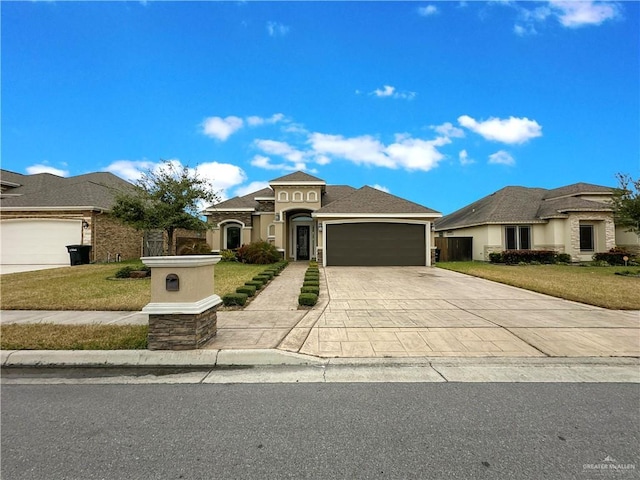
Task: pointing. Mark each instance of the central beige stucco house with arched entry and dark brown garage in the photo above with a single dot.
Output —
(337, 224)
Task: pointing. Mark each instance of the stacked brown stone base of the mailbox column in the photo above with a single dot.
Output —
(182, 331)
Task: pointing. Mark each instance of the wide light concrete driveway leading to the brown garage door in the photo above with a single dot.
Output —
(420, 311)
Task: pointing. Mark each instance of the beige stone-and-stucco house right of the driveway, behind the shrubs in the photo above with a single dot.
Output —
(575, 219)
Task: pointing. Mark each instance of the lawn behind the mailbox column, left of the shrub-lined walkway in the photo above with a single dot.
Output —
(87, 287)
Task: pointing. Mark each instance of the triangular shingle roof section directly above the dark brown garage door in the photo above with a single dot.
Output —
(368, 200)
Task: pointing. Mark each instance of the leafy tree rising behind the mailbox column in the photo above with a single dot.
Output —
(165, 198)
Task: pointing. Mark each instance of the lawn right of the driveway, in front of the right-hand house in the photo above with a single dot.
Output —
(598, 286)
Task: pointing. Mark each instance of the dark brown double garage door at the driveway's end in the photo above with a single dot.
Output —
(369, 244)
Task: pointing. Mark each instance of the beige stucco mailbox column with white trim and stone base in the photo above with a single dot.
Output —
(182, 311)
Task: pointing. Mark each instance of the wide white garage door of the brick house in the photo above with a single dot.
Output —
(36, 244)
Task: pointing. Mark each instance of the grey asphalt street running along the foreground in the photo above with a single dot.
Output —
(321, 430)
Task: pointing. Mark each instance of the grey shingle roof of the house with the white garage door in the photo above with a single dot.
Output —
(46, 191)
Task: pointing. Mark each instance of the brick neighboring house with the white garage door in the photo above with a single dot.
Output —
(41, 214)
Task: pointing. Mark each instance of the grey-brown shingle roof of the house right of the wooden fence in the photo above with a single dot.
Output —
(525, 205)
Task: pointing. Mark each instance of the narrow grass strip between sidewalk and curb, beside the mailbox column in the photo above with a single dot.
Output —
(73, 337)
